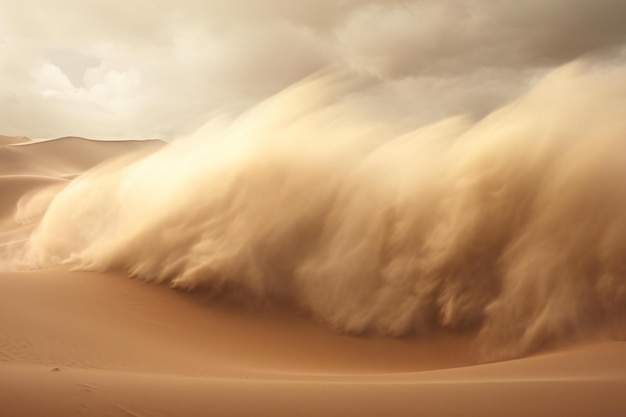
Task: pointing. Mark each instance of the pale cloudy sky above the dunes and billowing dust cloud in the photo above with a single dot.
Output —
(134, 69)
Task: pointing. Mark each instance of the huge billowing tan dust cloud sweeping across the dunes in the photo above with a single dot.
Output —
(515, 224)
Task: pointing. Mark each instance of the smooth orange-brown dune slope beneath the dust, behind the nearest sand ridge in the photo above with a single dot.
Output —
(116, 324)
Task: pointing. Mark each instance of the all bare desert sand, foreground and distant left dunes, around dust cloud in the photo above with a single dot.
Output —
(90, 344)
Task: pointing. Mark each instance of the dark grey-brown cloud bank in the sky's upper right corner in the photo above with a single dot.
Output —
(459, 36)
